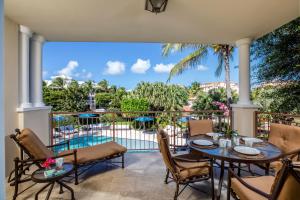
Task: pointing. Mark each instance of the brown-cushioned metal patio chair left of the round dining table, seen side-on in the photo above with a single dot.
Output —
(184, 171)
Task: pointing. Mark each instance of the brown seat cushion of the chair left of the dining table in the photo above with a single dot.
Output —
(191, 169)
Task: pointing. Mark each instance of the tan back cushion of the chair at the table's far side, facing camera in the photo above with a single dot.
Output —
(198, 127)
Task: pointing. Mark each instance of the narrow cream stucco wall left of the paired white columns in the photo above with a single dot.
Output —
(10, 88)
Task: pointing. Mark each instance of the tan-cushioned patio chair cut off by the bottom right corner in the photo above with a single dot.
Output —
(284, 186)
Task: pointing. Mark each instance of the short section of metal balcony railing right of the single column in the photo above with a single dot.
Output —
(263, 121)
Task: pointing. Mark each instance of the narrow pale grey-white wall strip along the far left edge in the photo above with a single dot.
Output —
(2, 133)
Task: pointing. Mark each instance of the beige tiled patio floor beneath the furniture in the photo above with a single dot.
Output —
(142, 178)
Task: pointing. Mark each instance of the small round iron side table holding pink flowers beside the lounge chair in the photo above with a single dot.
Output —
(38, 177)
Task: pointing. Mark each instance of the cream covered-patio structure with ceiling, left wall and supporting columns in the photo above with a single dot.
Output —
(28, 24)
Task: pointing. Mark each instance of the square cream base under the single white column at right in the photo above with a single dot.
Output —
(243, 119)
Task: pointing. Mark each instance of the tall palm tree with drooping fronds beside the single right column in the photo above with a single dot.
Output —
(200, 52)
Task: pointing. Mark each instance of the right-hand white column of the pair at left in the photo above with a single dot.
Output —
(36, 70)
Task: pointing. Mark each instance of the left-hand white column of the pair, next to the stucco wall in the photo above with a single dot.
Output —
(24, 36)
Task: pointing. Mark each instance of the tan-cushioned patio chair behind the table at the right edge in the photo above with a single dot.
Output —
(287, 138)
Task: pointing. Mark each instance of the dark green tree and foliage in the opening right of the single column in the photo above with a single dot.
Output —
(275, 58)
